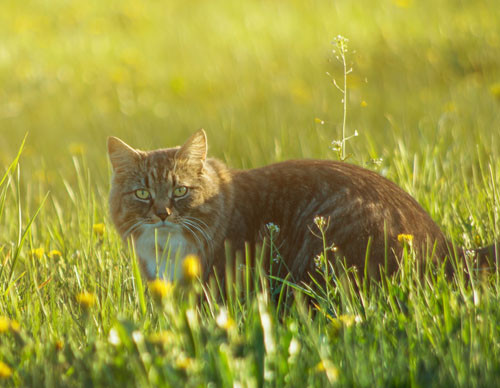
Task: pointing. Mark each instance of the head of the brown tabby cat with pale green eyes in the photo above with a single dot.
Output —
(165, 188)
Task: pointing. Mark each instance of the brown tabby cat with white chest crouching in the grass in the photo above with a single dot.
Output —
(175, 201)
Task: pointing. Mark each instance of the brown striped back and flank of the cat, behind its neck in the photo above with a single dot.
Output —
(359, 205)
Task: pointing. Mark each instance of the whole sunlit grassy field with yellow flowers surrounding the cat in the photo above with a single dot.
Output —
(423, 96)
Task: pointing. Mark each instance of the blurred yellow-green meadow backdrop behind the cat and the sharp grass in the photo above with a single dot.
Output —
(425, 81)
